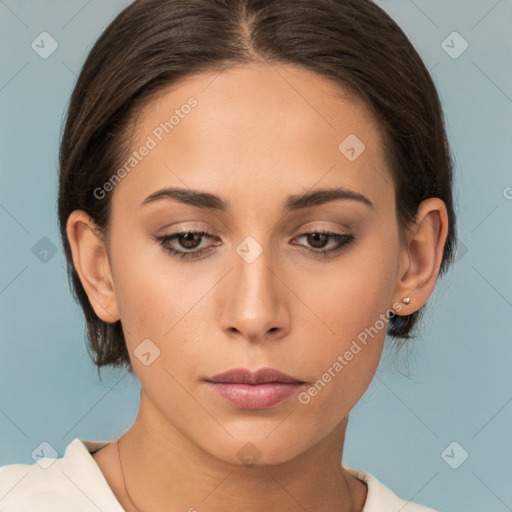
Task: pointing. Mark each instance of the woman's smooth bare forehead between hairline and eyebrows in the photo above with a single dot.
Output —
(258, 123)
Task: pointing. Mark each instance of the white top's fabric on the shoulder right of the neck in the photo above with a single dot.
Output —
(381, 498)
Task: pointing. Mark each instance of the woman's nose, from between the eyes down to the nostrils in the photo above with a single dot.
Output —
(254, 305)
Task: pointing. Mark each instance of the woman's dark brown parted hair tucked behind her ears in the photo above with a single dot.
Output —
(152, 44)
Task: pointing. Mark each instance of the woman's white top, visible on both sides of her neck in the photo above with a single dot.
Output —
(75, 482)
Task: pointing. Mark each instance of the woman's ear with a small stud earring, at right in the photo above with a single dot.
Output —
(421, 256)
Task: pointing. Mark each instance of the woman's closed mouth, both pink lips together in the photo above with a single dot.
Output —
(260, 389)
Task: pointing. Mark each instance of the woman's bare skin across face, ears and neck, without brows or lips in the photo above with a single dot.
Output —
(254, 128)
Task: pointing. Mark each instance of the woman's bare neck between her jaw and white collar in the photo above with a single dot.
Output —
(165, 470)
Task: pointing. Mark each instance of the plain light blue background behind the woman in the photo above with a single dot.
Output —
(458, 386)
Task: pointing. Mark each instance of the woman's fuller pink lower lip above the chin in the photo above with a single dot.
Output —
(255, 396)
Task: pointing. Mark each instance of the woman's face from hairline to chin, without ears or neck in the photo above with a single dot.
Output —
(256, 291)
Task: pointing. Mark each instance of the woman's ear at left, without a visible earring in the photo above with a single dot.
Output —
(91, 262)
